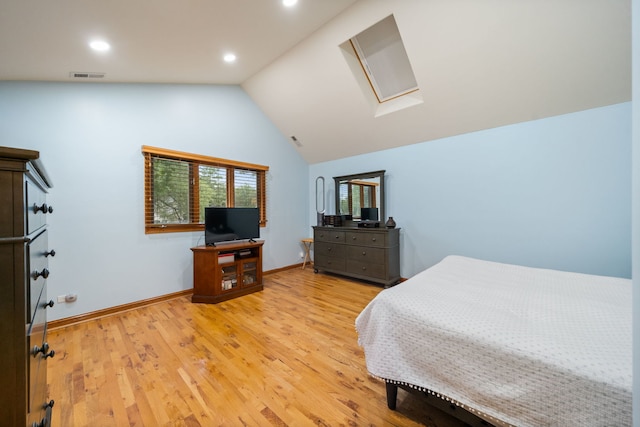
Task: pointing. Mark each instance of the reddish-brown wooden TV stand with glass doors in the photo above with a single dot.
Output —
(226, 271)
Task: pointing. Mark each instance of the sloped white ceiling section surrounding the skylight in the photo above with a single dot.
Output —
(479, 65)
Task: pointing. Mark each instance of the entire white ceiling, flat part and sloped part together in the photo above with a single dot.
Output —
(479, 63)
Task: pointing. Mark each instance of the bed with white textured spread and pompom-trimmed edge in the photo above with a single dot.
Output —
(513, 345)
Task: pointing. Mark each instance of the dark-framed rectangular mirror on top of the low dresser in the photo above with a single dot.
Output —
(361, 196)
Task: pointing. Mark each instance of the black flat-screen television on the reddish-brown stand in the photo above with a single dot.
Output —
(229, 224)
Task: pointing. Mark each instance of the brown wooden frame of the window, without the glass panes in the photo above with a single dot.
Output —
(194, 160)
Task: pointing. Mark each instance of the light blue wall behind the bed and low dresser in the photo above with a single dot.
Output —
(551, 193)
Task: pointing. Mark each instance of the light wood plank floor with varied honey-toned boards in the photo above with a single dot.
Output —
(287, 356)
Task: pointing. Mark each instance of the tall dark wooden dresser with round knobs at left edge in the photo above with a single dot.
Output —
(24, 255)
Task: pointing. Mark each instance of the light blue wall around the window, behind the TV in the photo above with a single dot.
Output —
(90, 136)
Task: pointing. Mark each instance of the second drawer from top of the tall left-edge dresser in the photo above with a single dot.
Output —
(38, 272)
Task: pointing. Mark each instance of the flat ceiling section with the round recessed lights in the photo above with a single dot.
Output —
(162, 41)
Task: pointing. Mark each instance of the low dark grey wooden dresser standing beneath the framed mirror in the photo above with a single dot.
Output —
(371, 254)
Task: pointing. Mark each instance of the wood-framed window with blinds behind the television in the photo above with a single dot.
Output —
(178, 186)
